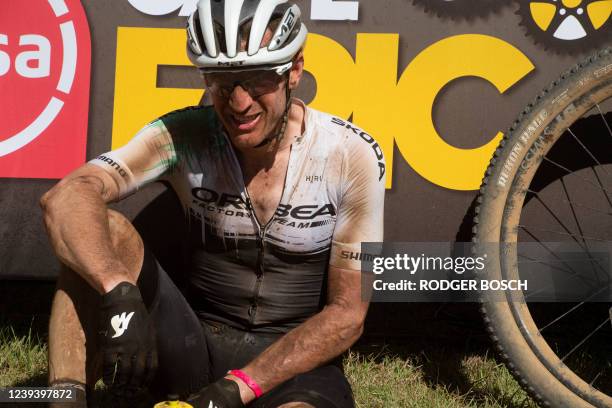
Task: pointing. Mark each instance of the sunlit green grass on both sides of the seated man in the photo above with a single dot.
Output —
(381, 375)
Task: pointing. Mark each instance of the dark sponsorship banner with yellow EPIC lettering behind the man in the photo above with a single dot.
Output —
(435, 83)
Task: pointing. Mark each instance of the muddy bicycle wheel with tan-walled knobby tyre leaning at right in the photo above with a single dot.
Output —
(560, 353)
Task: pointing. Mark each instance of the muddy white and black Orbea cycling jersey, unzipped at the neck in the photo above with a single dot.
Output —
(264, 278)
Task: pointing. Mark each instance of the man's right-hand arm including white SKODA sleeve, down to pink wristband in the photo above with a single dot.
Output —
(333, 330)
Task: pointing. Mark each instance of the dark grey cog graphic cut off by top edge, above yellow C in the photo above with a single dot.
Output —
(461, 9)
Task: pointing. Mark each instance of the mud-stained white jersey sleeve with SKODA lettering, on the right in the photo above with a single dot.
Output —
(361, 209)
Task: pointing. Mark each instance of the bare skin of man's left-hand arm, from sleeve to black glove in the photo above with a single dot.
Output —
(76, 217)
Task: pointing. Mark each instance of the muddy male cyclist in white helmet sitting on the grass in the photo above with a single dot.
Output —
(278, 197)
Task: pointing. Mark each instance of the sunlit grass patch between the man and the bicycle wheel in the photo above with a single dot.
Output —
(433, 377)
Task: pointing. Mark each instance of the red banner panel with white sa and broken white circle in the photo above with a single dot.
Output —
(45, 55)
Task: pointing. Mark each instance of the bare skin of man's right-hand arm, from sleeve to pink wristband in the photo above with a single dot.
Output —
(318, 340)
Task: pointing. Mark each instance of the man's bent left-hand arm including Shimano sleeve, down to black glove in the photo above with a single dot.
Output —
(76, 213)
